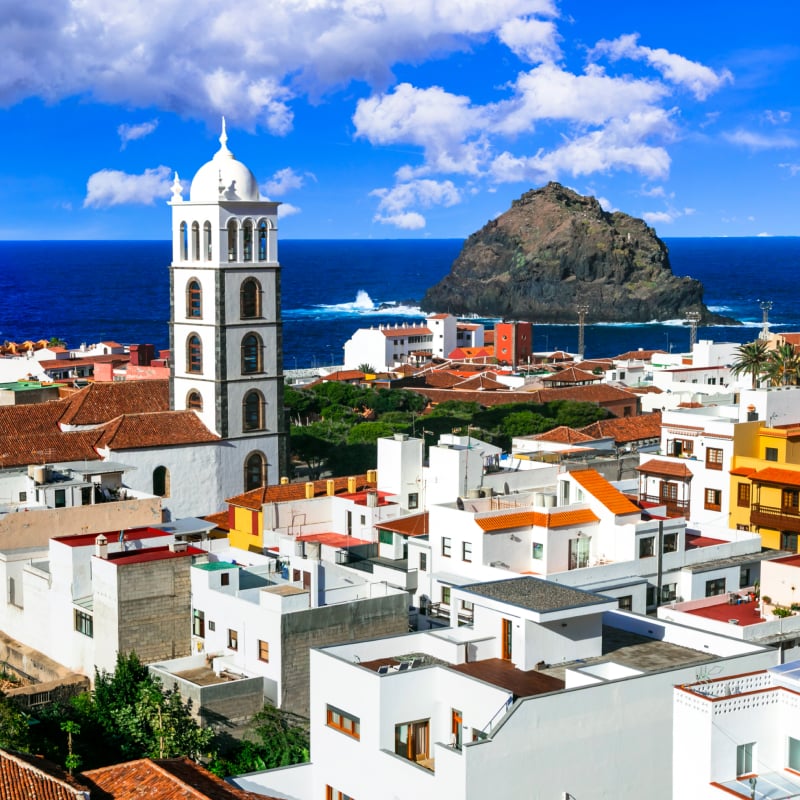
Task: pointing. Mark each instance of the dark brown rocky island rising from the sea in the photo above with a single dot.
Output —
(555, 249)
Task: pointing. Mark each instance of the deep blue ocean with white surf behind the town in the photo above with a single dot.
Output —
(99, 291)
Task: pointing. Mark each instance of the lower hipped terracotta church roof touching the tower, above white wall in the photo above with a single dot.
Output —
(159, 429)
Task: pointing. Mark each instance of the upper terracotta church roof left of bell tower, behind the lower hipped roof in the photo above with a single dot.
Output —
(101, 402)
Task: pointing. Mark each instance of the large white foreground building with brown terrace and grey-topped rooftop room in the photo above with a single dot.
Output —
(462, 713)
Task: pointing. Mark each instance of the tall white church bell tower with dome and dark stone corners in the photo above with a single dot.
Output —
(225, 321)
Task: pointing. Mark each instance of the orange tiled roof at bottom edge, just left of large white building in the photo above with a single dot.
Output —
(165, 779)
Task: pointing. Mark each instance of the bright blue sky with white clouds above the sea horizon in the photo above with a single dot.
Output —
(401, 118)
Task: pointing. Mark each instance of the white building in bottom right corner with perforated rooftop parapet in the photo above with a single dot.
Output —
(738, 736)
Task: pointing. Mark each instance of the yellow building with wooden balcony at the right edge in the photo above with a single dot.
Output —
(765, 488)
